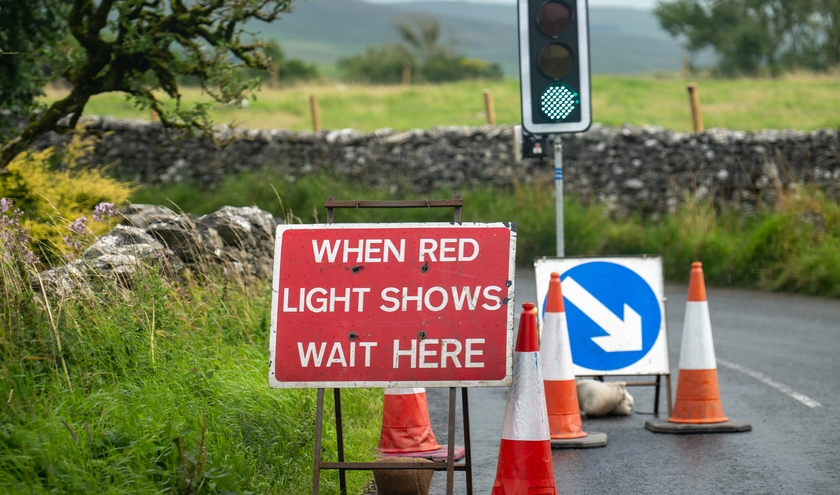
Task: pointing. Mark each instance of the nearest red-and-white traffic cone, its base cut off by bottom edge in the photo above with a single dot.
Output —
(525, 465)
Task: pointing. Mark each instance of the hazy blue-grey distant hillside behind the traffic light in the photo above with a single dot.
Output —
(622, 40)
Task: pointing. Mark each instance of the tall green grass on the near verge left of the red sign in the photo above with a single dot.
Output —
(159, 388)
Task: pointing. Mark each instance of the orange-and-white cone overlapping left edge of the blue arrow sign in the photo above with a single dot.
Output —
(564, 421)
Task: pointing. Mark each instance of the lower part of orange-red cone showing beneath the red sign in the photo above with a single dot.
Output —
(406, 429)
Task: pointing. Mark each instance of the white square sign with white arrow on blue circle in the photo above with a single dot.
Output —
(615, 309)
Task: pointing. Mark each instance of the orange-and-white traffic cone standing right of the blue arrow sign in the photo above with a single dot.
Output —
(698, 408)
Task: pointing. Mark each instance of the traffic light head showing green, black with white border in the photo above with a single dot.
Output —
(554, 65)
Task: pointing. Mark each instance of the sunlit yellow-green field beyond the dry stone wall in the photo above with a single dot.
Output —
(803, 102)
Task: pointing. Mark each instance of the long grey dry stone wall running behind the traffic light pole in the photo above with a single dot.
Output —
(648, 170)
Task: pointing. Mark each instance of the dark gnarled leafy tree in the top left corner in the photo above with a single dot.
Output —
(139, 47)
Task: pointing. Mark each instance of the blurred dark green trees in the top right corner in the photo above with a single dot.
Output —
(754, 35)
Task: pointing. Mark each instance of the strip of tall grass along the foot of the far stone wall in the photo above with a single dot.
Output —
(793, 246)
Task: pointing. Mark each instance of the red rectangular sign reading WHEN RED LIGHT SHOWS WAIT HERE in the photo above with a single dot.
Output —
(392, 305)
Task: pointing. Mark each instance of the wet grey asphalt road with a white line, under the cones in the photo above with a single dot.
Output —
(779, 369)
